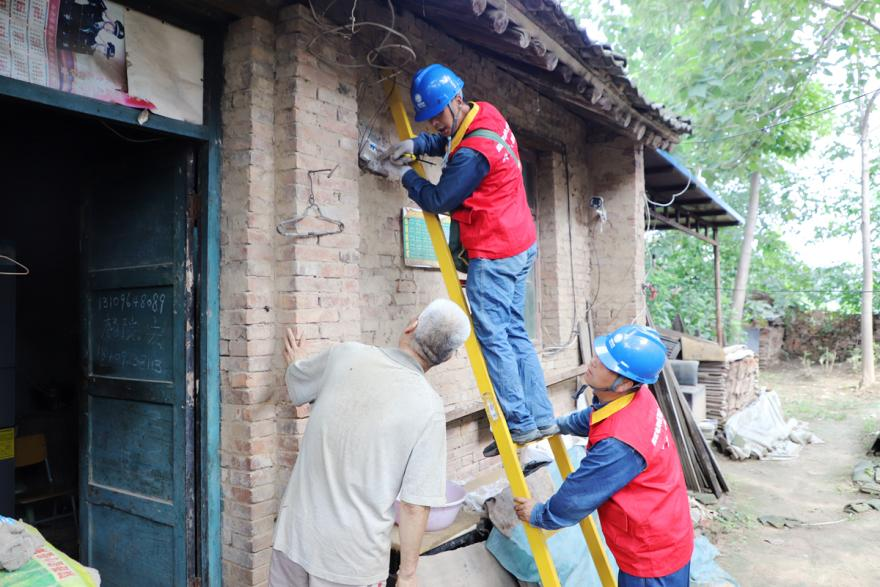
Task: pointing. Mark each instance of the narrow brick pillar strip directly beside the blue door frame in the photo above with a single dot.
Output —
(249, 378)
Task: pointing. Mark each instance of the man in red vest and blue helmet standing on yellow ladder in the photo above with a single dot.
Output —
(482, 185)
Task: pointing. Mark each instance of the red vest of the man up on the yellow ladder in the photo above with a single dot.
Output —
(495, 220)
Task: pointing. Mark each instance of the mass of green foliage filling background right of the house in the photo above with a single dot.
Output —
(750, 75)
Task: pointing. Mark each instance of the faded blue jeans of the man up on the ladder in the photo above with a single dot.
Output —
(496, 291)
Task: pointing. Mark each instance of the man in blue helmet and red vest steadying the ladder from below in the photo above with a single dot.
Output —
(631, 473)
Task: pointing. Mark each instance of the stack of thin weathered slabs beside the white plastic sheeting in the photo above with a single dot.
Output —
(731, 384)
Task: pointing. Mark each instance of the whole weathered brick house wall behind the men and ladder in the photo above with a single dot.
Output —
(287, 111)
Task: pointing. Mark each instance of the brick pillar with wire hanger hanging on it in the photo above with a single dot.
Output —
(317, 278)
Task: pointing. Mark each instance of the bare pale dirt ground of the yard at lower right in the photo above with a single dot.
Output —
(838, 549)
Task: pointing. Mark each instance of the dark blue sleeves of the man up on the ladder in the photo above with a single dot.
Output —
(461, 176)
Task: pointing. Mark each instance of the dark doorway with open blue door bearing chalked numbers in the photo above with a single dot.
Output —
(104, 331)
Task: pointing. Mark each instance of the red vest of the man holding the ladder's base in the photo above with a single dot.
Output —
(647, 524)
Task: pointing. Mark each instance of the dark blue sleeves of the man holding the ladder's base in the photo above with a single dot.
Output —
(609, 465)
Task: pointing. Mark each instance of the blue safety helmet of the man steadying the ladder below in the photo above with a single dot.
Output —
(635, 352)
